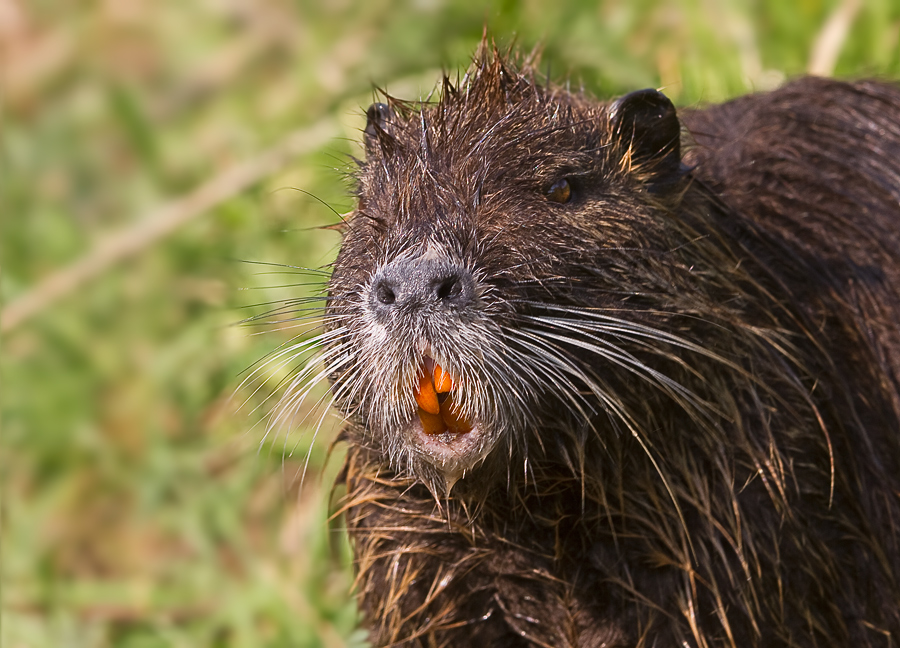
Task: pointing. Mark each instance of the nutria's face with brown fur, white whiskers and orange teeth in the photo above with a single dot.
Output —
(481, 221)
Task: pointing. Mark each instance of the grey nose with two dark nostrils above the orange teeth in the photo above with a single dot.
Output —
(407, 285)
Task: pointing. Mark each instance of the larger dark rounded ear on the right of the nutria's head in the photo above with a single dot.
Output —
(646, 121)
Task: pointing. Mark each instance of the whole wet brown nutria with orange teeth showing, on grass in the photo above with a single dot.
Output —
(617, 376)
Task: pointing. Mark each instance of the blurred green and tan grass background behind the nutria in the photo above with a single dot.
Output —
(142, 505)
